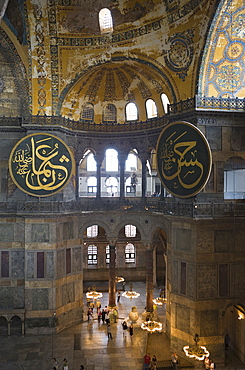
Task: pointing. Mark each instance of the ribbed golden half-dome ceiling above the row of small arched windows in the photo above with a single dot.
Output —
(114, 82)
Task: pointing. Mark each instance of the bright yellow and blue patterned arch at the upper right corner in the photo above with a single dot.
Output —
(223, 54)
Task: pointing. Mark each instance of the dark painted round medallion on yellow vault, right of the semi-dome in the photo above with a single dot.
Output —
(180, 54)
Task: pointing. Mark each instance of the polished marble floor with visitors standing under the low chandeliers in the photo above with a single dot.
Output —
(87, 343)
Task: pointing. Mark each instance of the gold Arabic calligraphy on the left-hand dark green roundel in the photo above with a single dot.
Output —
(34, 163)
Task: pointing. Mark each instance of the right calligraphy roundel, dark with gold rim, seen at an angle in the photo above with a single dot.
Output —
(183, 159)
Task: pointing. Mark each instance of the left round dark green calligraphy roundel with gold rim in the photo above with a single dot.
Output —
(41, 164)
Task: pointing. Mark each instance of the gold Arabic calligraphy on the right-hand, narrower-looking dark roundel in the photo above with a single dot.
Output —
(174, 161)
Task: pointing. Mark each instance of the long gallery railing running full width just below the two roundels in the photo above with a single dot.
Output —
(192, 209)
